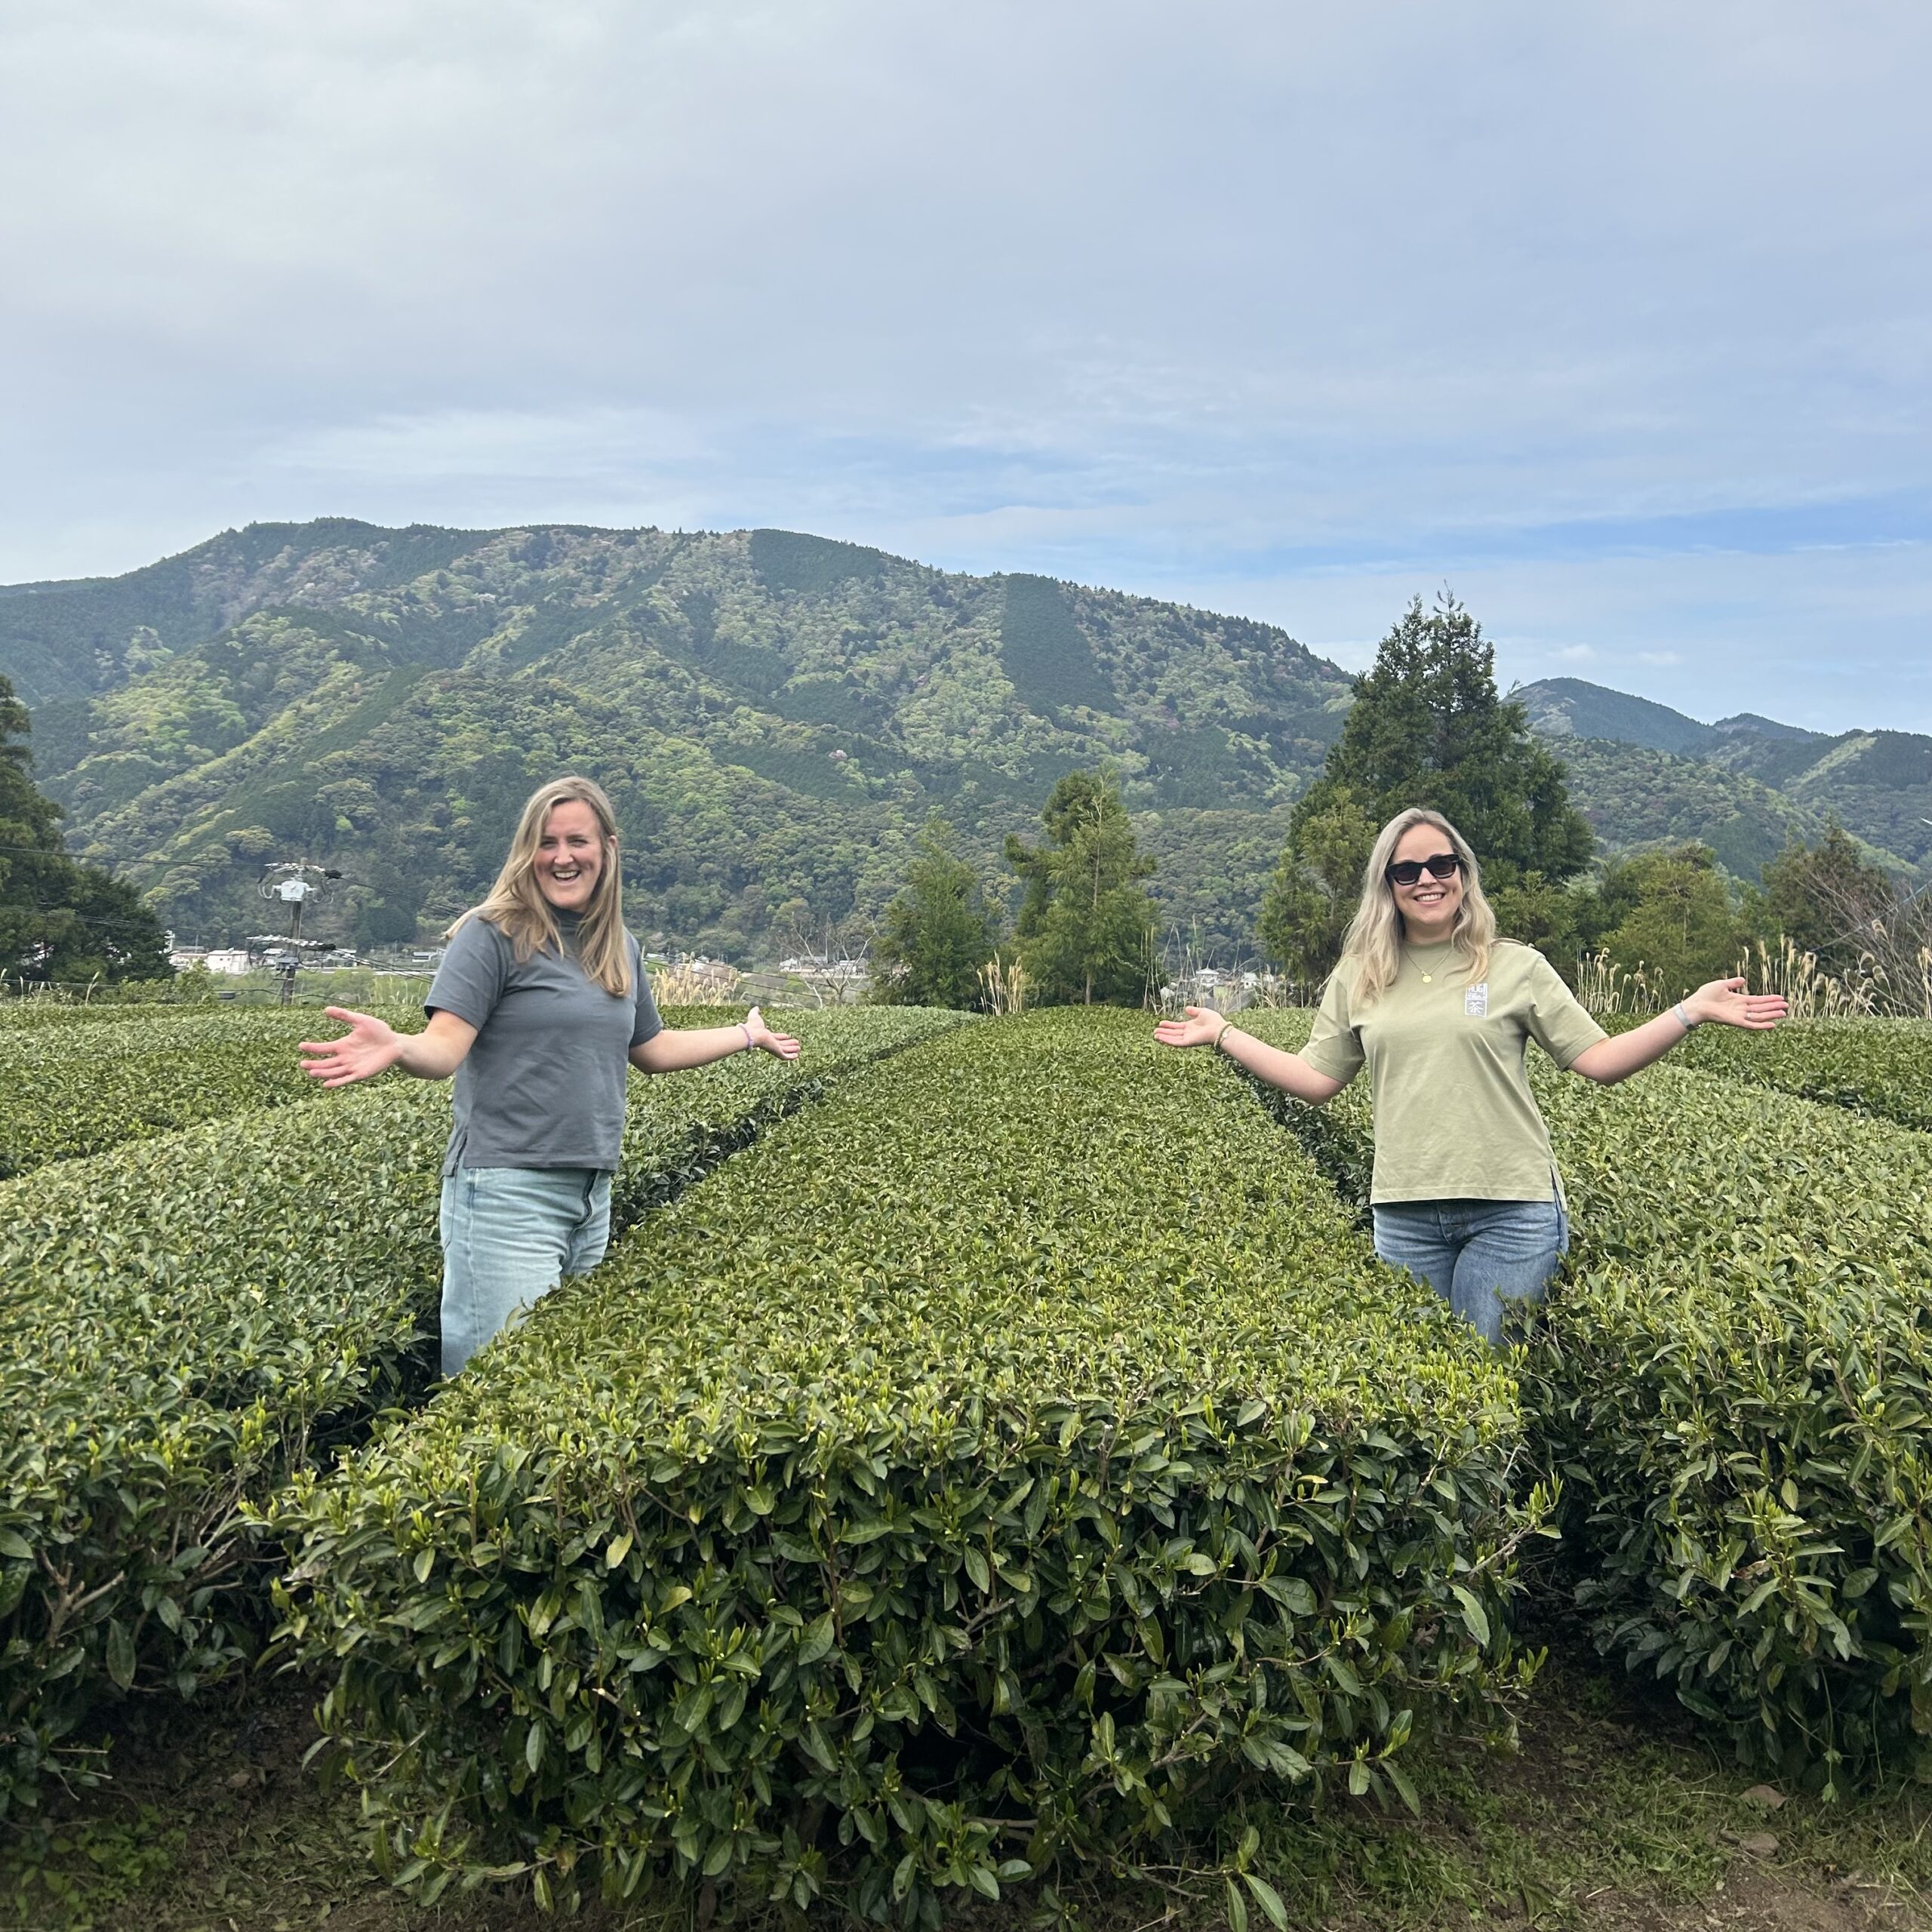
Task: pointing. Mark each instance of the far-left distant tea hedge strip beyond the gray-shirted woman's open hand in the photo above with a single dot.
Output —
(76, 1091)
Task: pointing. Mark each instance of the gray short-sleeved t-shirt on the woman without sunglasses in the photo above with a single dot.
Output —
(544, 1085)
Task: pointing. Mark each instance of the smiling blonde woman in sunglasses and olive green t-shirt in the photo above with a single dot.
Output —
(1465, 1191)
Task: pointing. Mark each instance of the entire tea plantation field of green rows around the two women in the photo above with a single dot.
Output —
(992, 1475)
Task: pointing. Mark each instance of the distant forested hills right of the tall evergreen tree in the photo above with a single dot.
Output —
(1647, 774)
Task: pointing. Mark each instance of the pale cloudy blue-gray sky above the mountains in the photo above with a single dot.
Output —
(1610, 316)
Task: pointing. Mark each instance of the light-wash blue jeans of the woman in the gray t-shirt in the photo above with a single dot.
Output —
(509, 1236)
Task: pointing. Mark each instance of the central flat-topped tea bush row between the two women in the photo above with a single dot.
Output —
(996, 1465)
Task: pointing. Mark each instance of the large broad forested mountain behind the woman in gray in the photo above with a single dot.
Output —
(774, 714)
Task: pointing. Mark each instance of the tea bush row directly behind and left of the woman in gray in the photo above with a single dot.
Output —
(188, 1321)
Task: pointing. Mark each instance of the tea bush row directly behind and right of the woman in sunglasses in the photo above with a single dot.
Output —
(1736, 1384)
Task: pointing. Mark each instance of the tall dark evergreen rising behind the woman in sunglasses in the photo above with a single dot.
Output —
(1429, 729)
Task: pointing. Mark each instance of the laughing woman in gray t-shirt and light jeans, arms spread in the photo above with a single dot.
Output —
(540, 1008)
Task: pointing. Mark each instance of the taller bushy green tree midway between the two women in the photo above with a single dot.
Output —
(1087, 924)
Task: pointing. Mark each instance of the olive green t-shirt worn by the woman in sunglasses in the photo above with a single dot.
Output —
(1454, 1110)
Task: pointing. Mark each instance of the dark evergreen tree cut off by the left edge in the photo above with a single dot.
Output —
(59, 921)
